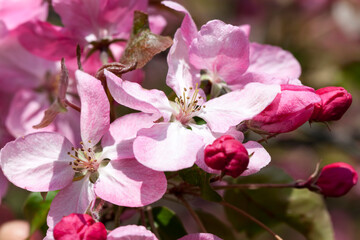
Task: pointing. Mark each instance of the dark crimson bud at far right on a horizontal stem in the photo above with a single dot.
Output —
(336, 179)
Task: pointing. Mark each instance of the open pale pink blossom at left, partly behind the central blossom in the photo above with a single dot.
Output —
(53, 163)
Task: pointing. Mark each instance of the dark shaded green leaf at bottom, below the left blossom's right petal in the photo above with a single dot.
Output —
(168, 224)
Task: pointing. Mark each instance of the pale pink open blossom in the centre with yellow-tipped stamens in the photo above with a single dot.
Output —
(155, 146)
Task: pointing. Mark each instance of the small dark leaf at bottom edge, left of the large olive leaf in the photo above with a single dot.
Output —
(215, 226)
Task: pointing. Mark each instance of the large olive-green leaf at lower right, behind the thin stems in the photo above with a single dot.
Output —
(300, 209)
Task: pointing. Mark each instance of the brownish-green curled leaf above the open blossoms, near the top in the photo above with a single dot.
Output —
(143, 44)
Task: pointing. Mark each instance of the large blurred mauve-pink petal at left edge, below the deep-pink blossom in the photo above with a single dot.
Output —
(23, 68)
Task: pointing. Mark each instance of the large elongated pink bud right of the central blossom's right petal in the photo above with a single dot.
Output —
(290, 109)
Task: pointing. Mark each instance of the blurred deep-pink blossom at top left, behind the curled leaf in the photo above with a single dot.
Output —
(95, 24)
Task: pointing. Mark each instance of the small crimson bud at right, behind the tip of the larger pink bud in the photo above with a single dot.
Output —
(335, 101)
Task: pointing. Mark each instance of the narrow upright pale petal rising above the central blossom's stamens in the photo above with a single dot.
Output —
(181, 73)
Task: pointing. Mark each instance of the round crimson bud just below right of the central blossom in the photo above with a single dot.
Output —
(228, 155)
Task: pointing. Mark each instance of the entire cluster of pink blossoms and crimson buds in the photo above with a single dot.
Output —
(61, 86)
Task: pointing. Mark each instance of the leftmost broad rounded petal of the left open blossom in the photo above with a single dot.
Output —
(38, 162)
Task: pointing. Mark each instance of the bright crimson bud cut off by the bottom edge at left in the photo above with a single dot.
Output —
(79, 226)
